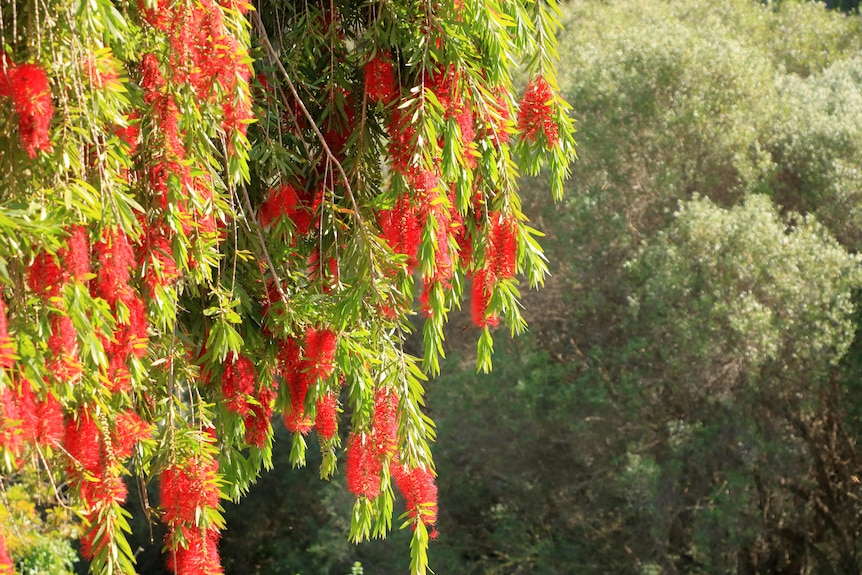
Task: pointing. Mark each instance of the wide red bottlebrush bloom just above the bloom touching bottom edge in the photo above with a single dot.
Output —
(187, 489)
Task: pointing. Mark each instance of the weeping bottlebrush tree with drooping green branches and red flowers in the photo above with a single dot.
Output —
(216, 213)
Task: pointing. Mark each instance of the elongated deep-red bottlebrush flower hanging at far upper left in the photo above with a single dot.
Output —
(31, 94)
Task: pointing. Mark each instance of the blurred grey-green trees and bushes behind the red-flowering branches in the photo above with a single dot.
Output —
(689, 400)
